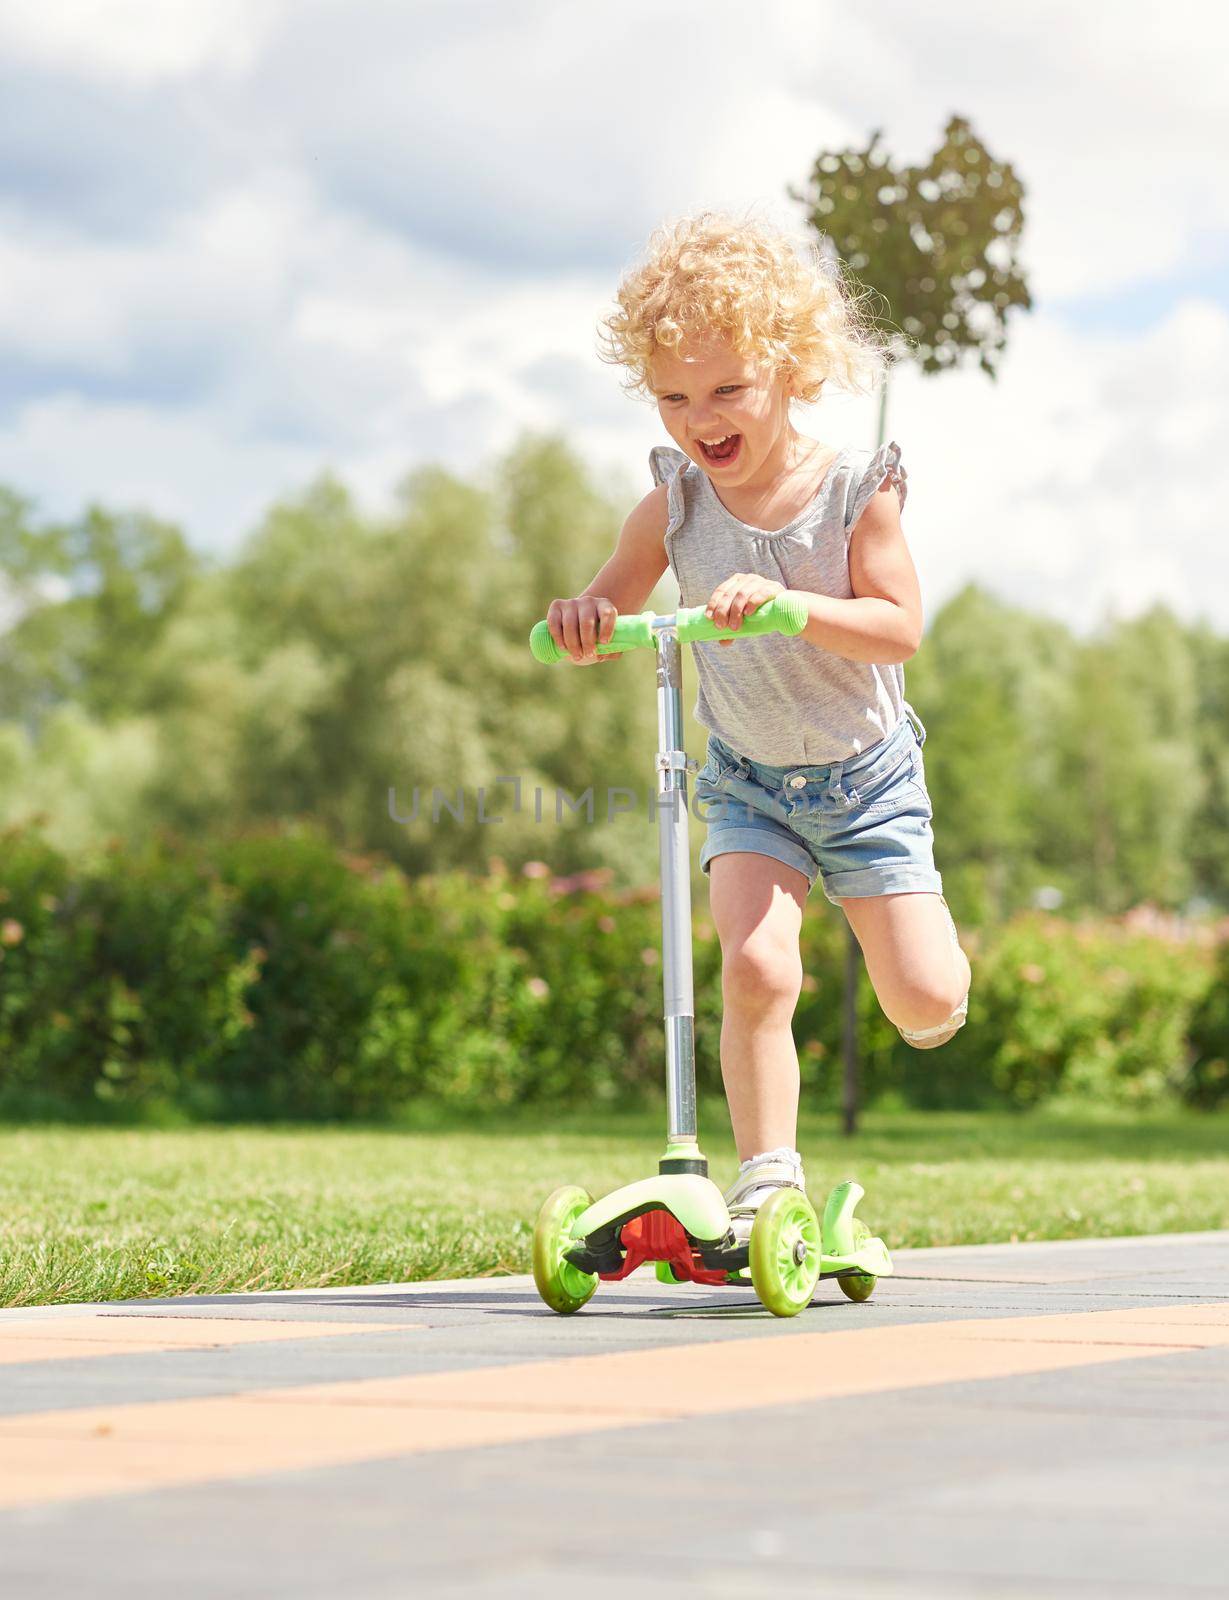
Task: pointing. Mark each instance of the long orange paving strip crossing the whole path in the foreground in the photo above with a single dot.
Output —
(122, 1449)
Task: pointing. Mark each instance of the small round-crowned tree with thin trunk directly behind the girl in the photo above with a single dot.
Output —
(937, 246)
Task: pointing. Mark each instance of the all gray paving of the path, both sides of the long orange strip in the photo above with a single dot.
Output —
(1086, 1481)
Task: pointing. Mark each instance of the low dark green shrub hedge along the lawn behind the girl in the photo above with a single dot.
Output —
(271, 975)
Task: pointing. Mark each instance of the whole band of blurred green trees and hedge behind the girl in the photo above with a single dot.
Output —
(209, 903)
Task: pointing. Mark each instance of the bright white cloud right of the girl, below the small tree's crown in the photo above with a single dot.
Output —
(1070, 487)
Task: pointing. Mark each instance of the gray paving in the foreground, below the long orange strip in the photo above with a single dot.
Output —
(868, 1497)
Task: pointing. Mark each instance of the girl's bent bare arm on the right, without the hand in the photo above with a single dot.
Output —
(884, 620)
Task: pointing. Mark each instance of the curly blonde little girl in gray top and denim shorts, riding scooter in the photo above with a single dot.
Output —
(814, 751)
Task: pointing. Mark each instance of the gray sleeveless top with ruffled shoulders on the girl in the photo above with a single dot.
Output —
(774, 700)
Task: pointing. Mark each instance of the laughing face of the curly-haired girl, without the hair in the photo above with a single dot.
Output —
(710, 391)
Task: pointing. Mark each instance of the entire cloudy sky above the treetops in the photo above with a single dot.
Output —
(242, 241)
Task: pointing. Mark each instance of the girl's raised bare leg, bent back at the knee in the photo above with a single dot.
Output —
(918, 972)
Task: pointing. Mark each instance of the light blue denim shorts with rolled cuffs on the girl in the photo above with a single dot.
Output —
(862, 826)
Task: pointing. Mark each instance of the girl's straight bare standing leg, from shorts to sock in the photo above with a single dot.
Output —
(758, 908)
